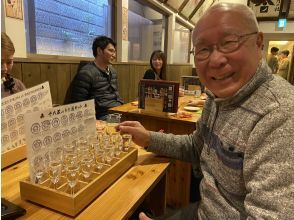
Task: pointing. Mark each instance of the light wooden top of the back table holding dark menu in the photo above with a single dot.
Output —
(132, 108)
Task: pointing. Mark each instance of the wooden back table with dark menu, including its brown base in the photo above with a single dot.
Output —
(179, 176)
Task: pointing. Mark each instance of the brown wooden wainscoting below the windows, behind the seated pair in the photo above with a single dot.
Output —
(60, 75)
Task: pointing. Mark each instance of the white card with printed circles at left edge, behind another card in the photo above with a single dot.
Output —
(13, 109)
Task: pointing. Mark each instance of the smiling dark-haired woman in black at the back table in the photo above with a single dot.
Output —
(158, 66)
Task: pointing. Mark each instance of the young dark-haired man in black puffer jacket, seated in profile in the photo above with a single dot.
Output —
(98, 79)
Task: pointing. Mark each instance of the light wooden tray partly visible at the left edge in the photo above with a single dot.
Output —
(12, 156)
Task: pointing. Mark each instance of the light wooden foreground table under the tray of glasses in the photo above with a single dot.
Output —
(145, 181)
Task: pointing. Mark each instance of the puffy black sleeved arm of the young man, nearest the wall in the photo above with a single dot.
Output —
(81, 86)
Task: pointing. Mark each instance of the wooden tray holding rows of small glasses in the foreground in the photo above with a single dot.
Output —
(61, 200)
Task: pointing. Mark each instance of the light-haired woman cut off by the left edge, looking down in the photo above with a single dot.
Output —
(9, 85)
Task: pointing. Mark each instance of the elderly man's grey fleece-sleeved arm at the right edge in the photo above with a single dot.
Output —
(268, 168)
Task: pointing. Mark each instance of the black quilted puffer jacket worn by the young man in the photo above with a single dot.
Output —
(94, 83)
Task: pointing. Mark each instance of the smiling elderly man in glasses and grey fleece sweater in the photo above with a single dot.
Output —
(244, 140)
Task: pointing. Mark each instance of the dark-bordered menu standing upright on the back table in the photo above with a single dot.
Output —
(158, 95)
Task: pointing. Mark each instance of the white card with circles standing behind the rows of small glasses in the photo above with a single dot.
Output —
(52, 128)
